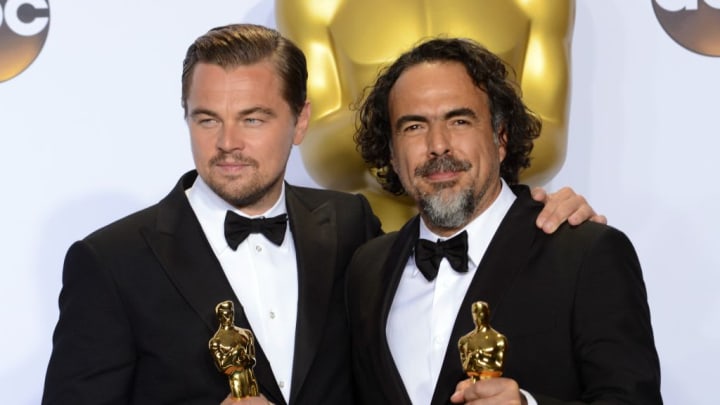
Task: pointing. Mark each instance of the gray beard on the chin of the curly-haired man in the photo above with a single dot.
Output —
(448, 213)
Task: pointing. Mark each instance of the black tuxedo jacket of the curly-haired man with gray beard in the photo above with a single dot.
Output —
(572, 305)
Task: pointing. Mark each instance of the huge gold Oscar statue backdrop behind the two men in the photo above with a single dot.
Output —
(348, 41)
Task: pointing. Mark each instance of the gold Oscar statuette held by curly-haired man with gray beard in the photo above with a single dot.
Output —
(482, 351)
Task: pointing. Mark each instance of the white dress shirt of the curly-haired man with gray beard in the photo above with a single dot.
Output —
(423, 312)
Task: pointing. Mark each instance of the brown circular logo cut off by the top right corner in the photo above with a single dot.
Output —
(694, 24)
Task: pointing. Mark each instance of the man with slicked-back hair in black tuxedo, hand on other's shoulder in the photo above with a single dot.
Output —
(137, 308)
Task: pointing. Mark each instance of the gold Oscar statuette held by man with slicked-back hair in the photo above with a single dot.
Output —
(233, 350)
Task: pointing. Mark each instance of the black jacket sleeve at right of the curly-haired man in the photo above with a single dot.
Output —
(612, 333)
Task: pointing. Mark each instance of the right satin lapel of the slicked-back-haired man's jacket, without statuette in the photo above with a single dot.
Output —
(314, 230)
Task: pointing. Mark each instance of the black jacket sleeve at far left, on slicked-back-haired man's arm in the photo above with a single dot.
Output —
(93, 357)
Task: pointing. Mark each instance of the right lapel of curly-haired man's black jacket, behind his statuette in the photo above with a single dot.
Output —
(506, 256)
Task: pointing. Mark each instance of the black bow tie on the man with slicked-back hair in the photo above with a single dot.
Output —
(237, 228)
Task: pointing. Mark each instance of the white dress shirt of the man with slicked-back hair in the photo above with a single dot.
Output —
(262, 275)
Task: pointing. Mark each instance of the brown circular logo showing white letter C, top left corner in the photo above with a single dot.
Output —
(23, 30)
